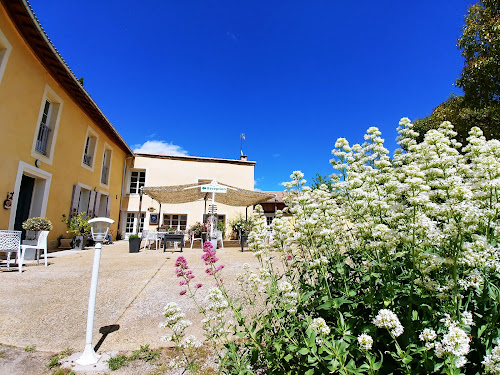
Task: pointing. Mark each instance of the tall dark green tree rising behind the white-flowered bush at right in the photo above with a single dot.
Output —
(479, 79)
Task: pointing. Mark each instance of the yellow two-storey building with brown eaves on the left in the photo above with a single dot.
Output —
(59, 153)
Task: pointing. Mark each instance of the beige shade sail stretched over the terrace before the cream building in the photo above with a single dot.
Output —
(192, 192)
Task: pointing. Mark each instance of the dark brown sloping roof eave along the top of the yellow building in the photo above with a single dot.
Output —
(23, 17)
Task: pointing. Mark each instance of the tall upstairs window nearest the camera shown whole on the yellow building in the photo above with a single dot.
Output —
(47, 125)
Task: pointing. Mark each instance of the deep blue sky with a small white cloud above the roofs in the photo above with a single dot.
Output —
(293, 76)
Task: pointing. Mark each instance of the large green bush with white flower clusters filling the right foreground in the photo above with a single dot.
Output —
(394, 271)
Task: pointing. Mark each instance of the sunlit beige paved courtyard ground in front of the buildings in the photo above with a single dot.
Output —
(46, 307)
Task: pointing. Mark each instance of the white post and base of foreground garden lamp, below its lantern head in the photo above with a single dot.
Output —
(89, 356)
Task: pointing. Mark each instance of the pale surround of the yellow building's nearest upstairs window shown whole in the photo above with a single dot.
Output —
(53, 121)
